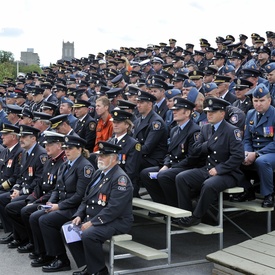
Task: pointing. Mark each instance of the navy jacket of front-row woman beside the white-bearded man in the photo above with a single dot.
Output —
(71, 185)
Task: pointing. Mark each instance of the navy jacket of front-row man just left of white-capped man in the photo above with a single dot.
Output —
(31, 169)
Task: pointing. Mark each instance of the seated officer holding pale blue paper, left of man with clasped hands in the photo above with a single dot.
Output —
(162, 187)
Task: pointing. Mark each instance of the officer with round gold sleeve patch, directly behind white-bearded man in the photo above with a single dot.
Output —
(130, 153)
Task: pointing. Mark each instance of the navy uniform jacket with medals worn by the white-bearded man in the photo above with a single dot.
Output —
(109, 201)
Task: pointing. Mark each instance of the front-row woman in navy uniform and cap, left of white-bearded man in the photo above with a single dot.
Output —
(72, 179)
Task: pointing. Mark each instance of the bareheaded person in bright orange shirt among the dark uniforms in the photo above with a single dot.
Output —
(104, 128)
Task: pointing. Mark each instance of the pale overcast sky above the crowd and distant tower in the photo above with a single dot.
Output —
(96, 26)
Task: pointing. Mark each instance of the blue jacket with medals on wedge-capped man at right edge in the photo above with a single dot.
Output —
(260, 136)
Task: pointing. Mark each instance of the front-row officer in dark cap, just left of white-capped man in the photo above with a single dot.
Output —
(31, 166)
